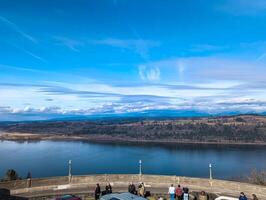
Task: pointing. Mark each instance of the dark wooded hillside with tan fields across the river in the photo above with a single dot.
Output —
(229, 129)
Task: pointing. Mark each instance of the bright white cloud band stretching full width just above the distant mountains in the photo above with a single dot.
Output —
(88, 99)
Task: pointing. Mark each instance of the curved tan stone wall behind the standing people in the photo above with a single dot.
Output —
(122, 181)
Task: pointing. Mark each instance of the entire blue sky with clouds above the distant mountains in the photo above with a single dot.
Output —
(63, 58)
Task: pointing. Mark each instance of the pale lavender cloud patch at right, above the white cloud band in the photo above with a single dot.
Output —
(211, 68)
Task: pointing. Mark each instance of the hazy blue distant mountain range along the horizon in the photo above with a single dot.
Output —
(149, 114)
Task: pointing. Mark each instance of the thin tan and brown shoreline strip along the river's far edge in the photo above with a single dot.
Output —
(110, 139)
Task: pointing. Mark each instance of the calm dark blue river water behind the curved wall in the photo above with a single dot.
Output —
(50, 158)
